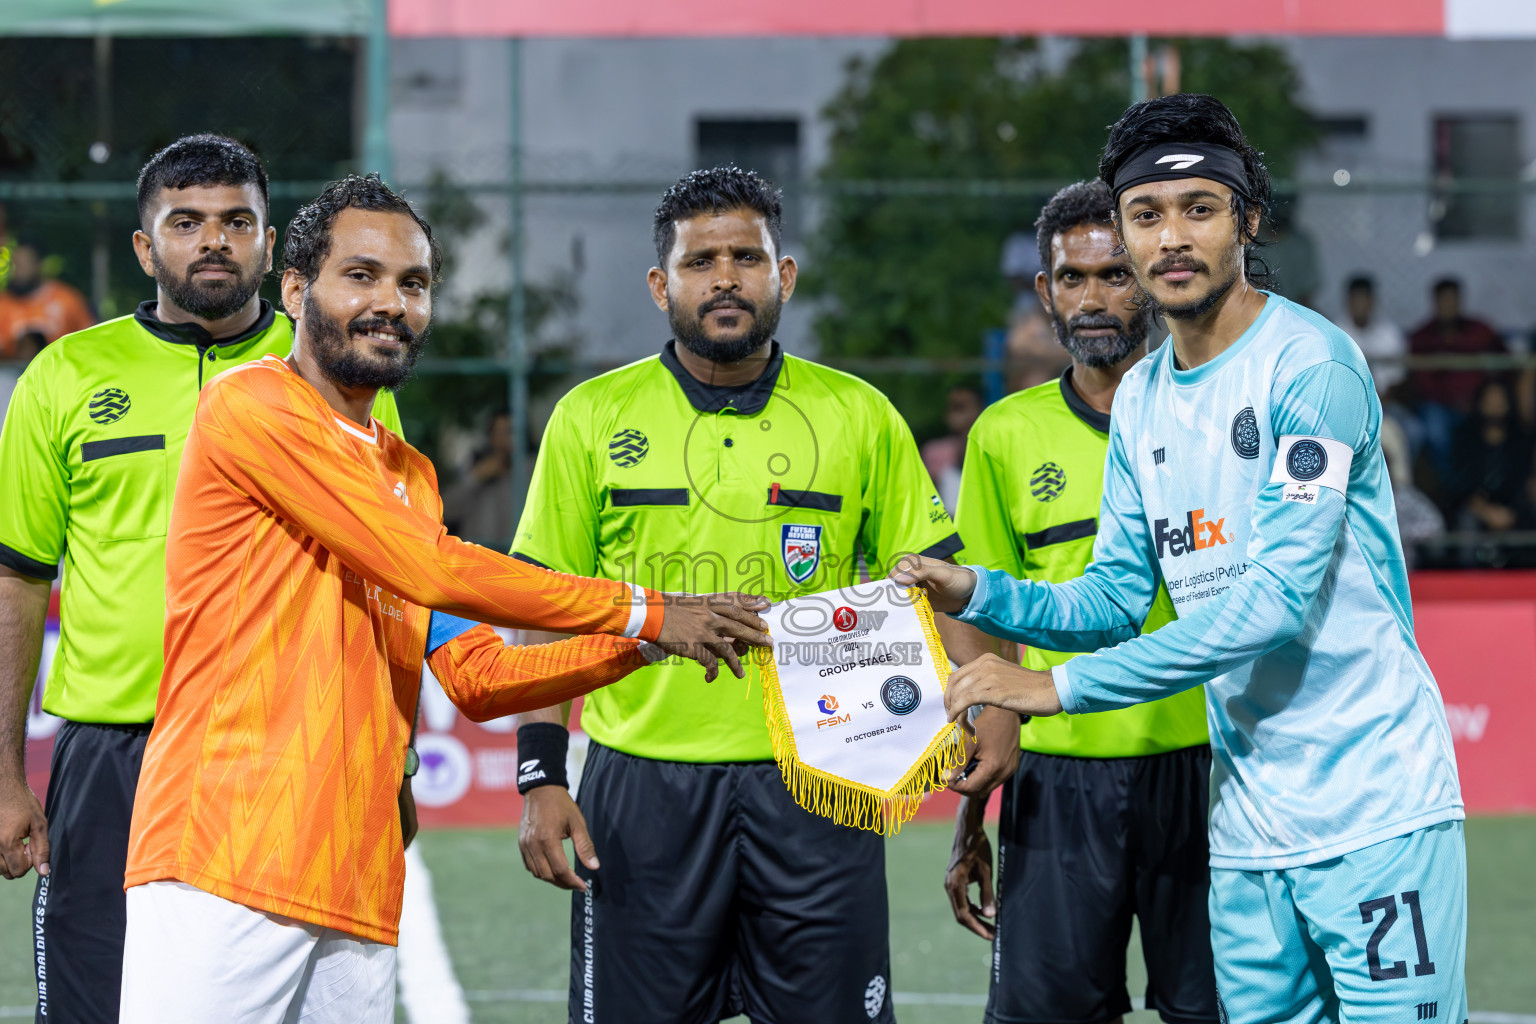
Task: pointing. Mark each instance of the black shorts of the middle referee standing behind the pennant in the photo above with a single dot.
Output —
(720, 896)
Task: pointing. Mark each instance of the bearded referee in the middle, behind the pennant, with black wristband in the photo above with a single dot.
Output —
(701, 890)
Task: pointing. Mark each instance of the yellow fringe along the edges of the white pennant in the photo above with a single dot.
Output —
(844, 801)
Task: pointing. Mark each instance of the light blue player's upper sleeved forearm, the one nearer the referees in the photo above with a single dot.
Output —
(1076, 616)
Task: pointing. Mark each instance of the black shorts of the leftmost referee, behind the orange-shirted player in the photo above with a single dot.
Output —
(79, 913)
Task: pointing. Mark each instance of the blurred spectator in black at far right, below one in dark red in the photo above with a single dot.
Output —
(1491, 458)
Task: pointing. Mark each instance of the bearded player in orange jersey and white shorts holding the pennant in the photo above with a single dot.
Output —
(308, 575)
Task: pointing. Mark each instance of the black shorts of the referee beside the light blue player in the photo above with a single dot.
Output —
(1084, 845)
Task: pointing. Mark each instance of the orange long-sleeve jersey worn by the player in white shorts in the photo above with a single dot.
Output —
(303, 560)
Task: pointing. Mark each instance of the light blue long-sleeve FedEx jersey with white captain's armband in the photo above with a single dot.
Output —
(1257, 489)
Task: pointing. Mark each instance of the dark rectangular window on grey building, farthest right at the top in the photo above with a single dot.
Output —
(1477, 176)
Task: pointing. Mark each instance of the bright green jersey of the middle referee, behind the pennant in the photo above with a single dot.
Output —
(778, 489)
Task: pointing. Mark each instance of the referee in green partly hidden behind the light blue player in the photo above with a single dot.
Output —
(1105, 816)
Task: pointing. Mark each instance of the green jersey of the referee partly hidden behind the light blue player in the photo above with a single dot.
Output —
(1030, 495)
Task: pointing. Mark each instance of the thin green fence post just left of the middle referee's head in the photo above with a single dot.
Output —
(517, 302)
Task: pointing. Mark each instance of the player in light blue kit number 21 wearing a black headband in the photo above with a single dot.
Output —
(1246, 472)
